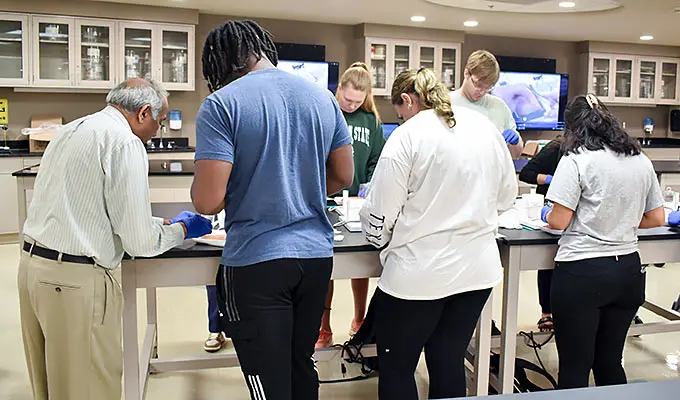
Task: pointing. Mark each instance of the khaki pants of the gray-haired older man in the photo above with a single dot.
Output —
(71, 326)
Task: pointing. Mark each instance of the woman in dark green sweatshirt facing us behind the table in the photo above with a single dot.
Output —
(355, 97)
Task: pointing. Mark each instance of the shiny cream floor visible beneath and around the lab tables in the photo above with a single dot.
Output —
(183, 324)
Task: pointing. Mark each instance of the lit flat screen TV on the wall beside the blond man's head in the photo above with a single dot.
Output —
(537, 100)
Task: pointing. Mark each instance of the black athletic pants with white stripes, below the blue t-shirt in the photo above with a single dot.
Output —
(272, 311)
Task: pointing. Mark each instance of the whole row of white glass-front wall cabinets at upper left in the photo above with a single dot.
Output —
(66, 53)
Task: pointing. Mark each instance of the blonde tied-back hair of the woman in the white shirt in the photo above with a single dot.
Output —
(433, 94)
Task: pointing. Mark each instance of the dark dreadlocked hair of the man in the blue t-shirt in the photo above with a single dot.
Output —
(228, 48)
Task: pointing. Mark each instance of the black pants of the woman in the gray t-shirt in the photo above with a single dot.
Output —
(593, 304)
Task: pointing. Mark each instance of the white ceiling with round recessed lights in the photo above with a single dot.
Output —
(624, 24)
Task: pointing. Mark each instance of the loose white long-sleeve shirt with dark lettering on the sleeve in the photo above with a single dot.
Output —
(434, 201)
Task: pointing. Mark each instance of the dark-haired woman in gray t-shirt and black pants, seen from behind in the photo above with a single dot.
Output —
(604, 189)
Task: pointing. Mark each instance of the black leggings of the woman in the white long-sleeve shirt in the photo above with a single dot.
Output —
(443, 327)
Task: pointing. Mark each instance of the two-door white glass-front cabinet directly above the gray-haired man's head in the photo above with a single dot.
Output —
(162, 52)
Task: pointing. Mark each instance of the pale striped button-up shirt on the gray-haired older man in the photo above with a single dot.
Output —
(91, 196)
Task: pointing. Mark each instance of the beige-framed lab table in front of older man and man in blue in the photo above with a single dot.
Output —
(353, 257)
